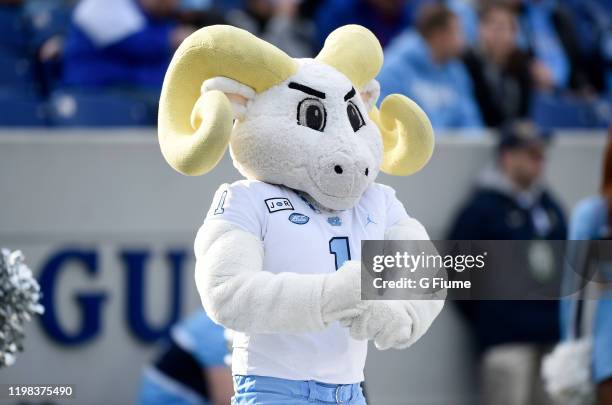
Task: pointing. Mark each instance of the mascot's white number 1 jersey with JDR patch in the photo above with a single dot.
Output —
(300, 238)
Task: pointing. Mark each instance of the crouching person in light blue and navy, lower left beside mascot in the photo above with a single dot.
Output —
(192, 367)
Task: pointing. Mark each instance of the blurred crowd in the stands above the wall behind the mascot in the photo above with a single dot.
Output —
(467, 63)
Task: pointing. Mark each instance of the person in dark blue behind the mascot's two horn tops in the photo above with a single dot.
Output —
(385, 18)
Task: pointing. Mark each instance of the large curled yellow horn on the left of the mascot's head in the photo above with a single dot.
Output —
(194, 132)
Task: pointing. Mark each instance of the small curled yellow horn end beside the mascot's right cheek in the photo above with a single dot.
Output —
(408, 137)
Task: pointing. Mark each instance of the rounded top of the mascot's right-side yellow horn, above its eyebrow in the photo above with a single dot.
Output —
(355, 52)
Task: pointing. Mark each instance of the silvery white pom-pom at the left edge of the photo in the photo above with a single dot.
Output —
(19, 296)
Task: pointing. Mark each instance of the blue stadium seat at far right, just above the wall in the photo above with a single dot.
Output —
(552, 112)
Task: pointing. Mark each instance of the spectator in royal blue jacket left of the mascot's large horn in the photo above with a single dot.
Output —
(121, 43)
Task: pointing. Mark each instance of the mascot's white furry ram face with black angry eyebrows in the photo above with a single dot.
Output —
(311, 133)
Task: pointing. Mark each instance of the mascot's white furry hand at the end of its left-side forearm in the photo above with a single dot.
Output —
(342, 293)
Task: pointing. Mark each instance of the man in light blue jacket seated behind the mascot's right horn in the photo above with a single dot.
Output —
(424, 65)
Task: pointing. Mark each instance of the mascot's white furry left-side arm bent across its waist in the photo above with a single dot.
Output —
(238, 294)
